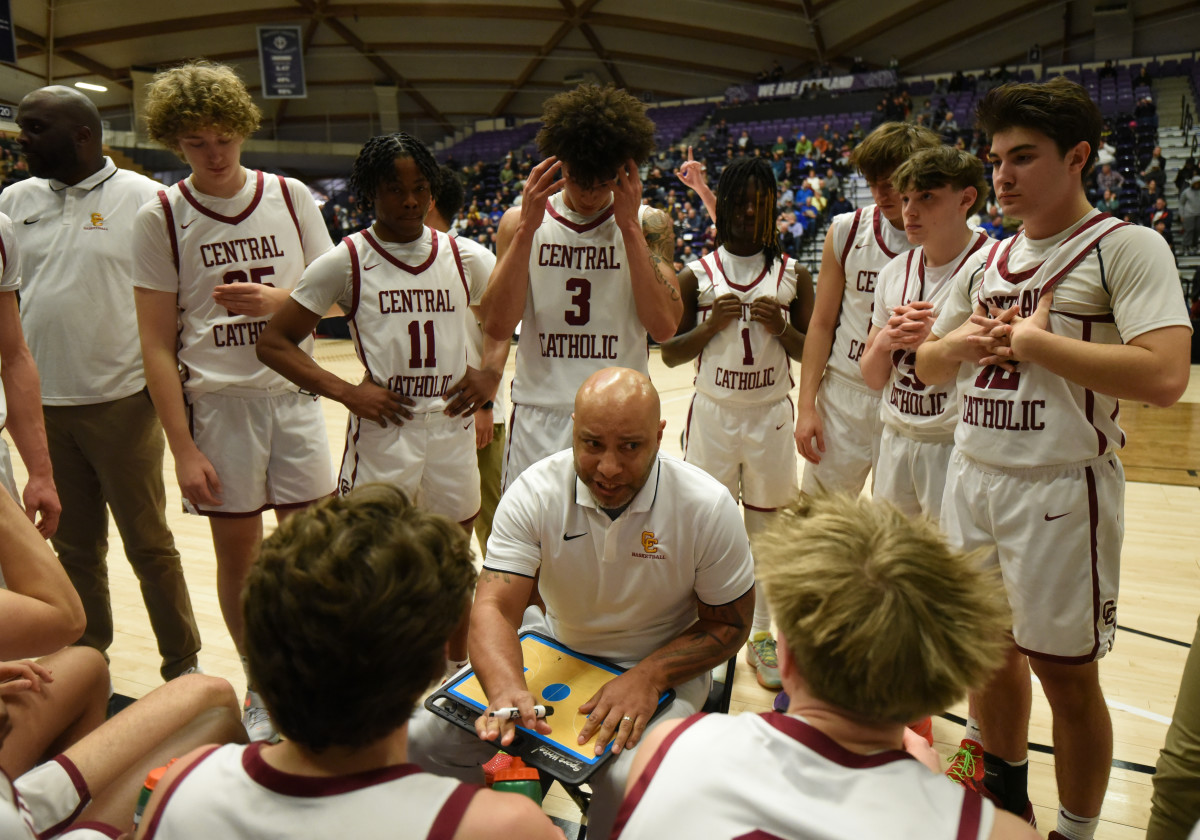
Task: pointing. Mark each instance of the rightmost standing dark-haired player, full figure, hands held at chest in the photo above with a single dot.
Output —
(1072, 315)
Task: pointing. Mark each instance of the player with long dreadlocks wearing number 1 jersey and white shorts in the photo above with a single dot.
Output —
(735, 326)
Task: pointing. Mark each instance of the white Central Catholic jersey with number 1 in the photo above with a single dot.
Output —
(743, 364)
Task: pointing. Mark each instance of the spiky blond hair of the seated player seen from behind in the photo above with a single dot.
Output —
(883, 619)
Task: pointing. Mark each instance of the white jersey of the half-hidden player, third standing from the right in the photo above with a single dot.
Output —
(865, 243)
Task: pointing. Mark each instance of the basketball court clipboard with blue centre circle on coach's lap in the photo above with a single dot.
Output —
(557, 676)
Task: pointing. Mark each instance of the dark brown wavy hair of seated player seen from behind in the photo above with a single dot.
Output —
(347, 614)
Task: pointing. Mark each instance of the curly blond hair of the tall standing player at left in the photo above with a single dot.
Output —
(195, 97)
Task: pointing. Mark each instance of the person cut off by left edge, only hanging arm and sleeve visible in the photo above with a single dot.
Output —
(23, 393)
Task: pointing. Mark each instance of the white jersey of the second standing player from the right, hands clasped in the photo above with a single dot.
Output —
(909, 405)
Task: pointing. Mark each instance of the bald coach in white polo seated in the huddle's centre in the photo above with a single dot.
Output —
(641, 560)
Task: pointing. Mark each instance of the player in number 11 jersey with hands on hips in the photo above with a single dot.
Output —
(407, 299)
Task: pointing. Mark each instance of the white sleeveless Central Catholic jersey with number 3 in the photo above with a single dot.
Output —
(580, 315)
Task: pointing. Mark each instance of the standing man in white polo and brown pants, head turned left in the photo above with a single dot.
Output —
(106, 443)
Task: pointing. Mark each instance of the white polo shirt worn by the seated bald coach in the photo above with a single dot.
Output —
(622, 589)
